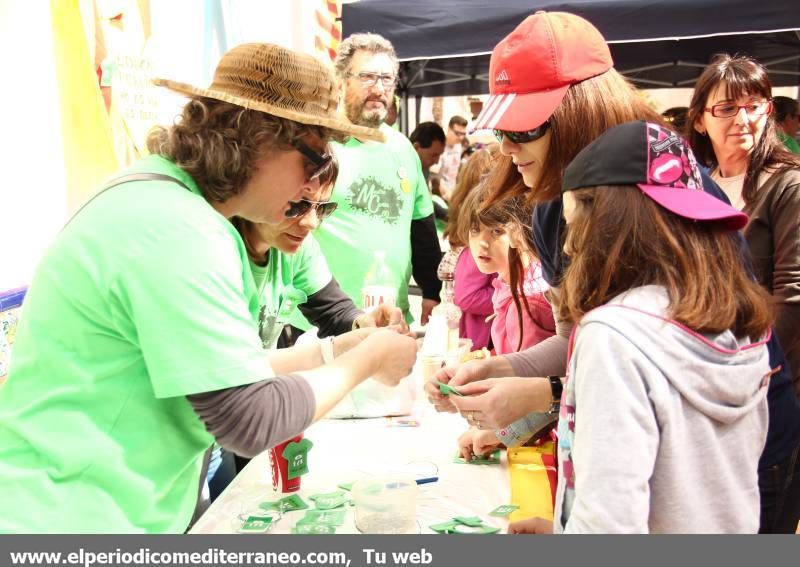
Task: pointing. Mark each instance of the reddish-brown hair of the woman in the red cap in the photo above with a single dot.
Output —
(588, 109)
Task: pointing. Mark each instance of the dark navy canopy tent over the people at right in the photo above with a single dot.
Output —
(444, 45)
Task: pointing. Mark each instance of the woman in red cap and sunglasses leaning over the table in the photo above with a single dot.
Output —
(554, 90)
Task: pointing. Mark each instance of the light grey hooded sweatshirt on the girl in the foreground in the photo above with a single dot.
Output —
(660, 428)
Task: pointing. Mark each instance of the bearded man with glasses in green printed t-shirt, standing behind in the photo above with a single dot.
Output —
(384, 206)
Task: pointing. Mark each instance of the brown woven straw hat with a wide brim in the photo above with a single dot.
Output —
(278, 81)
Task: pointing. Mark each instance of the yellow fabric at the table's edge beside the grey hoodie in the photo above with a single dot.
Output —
(530, 485)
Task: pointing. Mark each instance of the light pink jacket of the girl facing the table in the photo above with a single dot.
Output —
(505, 327)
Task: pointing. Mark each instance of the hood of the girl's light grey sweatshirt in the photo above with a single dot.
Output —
(720, 375)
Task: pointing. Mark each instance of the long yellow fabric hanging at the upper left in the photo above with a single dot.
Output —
(85, 129)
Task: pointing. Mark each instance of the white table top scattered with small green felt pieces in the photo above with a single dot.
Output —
(349, 450)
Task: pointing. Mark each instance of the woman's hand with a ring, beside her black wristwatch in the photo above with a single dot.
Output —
(494, 403)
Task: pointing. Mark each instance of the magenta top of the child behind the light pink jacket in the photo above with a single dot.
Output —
(473, 294)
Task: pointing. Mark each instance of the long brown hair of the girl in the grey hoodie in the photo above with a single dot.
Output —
(620, 239)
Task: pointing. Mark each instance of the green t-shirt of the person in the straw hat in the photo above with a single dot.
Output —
(144, 297)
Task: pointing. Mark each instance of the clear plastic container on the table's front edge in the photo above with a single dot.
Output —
(386, 505)
